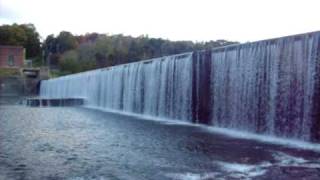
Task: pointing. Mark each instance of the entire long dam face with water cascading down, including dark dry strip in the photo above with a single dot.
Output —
(270, 87)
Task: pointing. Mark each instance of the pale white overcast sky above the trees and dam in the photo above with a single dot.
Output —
(196, 20)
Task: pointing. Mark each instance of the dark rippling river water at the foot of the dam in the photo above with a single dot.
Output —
(78, 144)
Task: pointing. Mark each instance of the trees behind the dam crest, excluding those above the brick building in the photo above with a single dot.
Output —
(72, 54)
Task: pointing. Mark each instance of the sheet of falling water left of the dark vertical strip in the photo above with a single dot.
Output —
(159, 87)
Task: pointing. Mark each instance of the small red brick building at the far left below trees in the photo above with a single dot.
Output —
(11, 56)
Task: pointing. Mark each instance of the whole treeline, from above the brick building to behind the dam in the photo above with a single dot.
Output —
(67, 53)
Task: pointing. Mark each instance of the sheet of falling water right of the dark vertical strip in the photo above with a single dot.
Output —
(266, 87)
